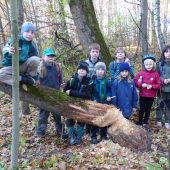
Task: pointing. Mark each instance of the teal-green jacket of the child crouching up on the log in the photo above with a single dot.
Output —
(26, 49)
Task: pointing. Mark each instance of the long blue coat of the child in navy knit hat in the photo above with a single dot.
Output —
(126, 96)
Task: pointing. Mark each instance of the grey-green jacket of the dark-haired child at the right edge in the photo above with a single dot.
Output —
(164, 74)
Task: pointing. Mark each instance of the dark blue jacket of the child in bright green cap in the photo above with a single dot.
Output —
(52, 79)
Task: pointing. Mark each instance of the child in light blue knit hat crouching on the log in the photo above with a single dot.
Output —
(28, 57)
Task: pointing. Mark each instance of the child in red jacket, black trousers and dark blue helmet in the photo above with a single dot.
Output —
(149, 82)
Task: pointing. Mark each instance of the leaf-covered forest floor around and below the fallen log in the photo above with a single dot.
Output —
(51, 152)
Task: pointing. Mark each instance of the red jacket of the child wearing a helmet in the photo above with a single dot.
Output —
(150, 78)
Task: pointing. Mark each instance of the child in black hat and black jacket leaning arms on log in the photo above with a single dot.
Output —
(81, 86)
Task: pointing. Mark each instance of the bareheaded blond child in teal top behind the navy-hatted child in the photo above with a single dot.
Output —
(114, 66)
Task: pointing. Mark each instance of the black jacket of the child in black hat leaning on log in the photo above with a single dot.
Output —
(79, 89)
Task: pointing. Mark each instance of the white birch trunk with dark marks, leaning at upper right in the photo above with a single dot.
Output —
(157, 23)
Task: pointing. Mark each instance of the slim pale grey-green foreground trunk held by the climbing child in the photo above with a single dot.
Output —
(15, 85)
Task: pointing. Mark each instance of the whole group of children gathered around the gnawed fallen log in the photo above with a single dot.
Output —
(90, 82)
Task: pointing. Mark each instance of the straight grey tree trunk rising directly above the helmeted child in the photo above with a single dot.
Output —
(144, 27)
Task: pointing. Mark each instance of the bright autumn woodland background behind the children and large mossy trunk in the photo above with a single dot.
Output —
(120, 21)
